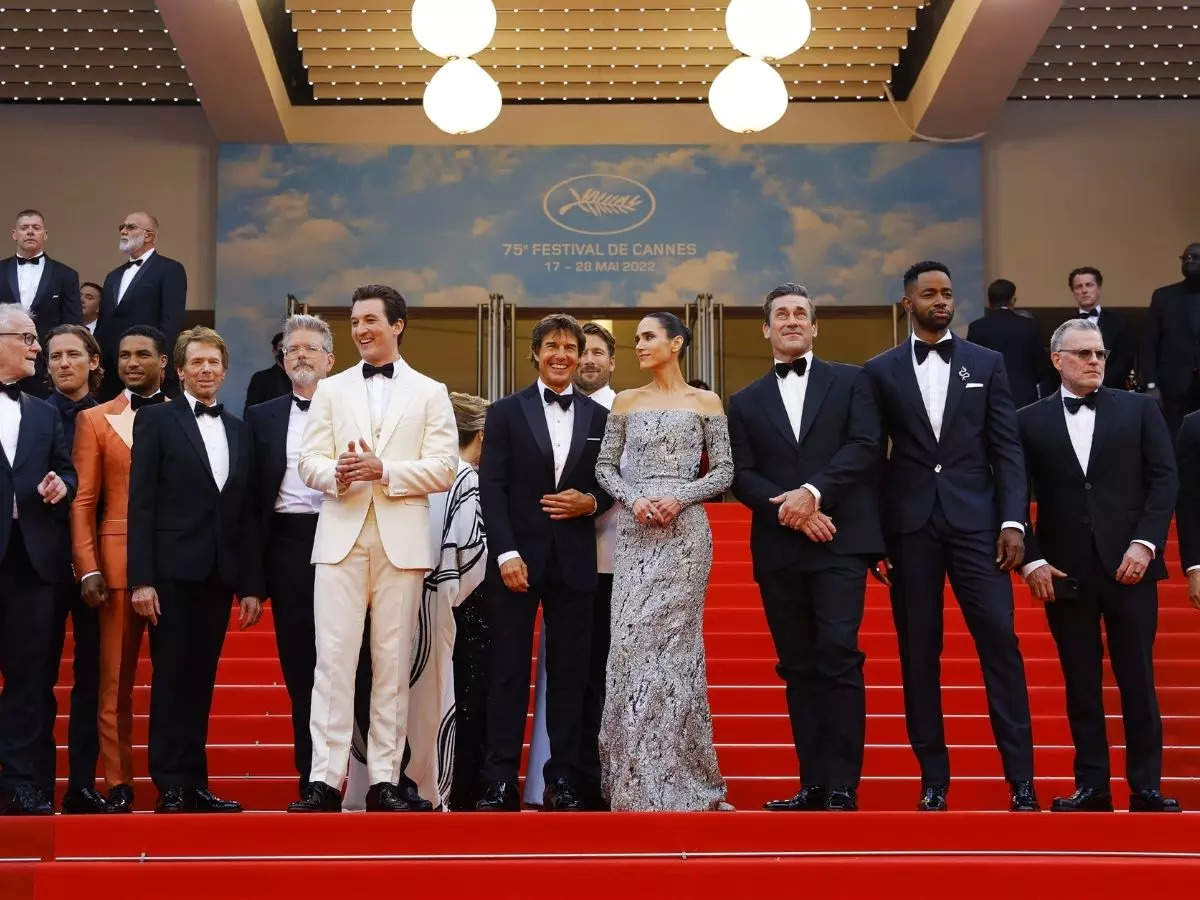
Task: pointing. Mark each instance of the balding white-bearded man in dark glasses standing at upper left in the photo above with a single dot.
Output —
(147, 290)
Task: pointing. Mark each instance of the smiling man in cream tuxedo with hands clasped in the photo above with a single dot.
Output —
(381, 439)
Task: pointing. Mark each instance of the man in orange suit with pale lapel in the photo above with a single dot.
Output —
(103, 451)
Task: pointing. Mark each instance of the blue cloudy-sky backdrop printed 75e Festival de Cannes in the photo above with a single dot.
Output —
(584, 226)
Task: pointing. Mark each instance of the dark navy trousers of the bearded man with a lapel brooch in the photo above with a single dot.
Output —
(922, 560)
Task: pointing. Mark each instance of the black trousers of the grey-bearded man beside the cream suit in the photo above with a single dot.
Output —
(290, 584)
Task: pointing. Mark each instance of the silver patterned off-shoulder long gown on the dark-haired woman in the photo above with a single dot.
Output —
(657, 733)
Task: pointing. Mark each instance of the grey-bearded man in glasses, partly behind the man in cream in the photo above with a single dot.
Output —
(285, 521)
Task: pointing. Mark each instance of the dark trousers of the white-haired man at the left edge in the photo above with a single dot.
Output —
(27, 645)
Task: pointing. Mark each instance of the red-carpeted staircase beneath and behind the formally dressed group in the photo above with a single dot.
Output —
(250, 759)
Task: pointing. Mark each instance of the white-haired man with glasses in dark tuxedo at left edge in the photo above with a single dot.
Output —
(37, 485)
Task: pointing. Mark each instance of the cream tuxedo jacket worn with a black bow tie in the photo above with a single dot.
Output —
(418, 445)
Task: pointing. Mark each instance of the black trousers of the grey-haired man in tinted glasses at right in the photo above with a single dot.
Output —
(1131, 620)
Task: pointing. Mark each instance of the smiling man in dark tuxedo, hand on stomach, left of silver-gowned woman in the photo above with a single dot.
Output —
(539, 494)
